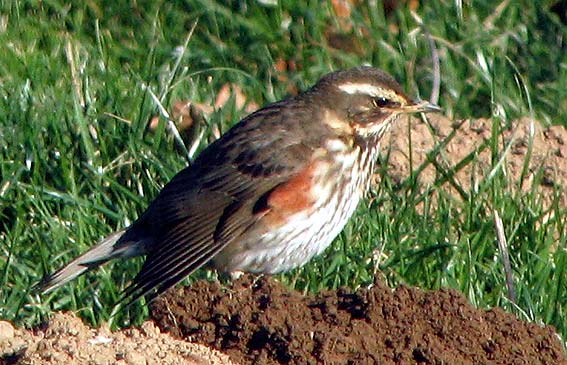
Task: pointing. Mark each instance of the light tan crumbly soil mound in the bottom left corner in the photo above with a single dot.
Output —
(66, 340)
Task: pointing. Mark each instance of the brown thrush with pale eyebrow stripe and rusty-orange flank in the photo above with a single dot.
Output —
(268, 195)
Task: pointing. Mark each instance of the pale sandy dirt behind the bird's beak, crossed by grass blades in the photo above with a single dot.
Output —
(524, 140)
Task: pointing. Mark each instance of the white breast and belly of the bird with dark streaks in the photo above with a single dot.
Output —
(304, 235)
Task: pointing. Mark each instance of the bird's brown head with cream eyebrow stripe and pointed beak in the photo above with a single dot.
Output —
(364, 101)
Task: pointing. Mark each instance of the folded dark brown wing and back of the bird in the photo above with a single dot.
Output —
(214, 201)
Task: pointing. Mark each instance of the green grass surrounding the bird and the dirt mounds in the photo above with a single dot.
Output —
(77, 160)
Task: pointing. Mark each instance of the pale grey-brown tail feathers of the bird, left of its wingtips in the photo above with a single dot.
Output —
(102, 252)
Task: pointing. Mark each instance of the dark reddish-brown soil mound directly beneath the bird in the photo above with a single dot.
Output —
(259, 321)
